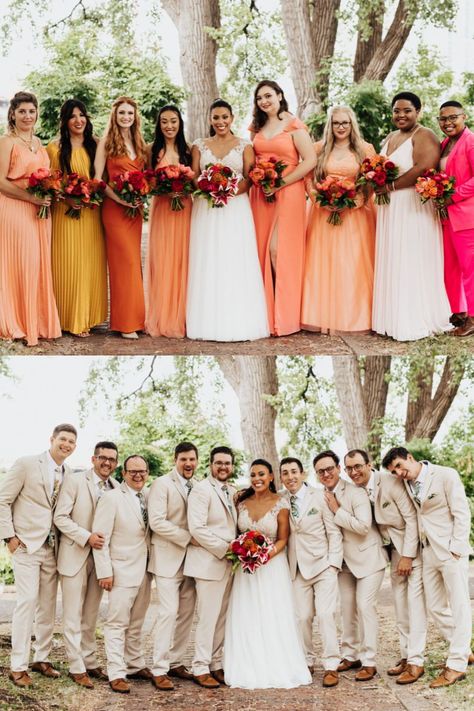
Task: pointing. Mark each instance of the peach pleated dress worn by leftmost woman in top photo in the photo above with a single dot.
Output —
(27, 306)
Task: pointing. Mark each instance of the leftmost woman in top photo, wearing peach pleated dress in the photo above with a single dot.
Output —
(27, 306)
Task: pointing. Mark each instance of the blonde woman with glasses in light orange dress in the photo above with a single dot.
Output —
(339, 270)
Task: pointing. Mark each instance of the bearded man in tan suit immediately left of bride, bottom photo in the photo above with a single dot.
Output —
(212, 520)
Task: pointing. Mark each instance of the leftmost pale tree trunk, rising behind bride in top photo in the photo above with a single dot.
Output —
(197, 58)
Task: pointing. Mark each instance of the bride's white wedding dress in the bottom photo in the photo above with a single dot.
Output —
(262, 646)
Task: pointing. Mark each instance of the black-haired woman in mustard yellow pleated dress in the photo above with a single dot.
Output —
(78, 247)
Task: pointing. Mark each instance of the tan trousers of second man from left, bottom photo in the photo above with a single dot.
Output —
(81, 601)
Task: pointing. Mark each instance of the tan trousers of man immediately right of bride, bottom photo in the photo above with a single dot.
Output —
(318, 596)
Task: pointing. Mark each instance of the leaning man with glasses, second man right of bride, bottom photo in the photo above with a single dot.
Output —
(364, 561)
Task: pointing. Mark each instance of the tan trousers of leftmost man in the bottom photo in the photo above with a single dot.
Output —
(36, 582)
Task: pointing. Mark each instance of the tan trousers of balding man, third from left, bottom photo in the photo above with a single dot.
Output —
(123, 629)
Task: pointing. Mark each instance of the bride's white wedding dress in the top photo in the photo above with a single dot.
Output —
(226, 297)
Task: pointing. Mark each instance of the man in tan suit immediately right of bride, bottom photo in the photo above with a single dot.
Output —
(315, 558)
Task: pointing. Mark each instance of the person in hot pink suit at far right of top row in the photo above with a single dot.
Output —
(457, 158)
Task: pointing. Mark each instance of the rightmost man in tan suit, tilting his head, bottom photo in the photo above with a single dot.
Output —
(444, 523)
